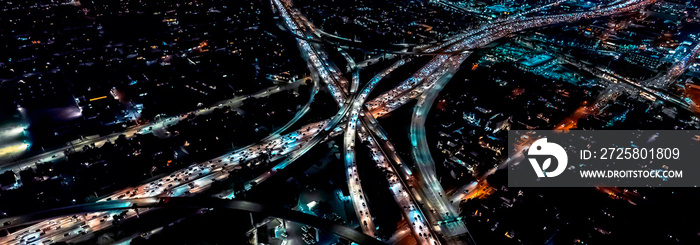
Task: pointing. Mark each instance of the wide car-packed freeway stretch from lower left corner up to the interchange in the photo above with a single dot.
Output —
(177, 184)
